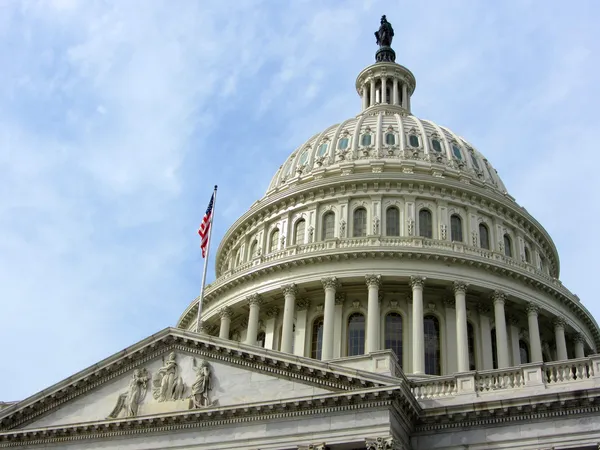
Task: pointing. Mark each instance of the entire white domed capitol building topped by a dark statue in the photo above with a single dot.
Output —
(386, 292)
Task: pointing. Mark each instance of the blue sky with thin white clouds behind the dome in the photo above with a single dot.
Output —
(117, 117)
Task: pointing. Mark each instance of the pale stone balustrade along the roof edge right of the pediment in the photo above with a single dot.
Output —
(577, 373)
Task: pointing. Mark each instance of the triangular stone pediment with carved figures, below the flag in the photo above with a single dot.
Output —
(176, 371)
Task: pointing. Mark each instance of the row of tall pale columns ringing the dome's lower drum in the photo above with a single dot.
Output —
(331, 286)
